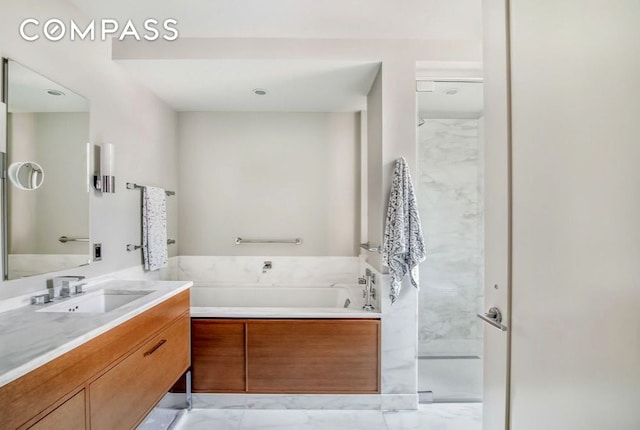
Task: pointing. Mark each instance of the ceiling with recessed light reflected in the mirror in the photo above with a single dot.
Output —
(28, 92)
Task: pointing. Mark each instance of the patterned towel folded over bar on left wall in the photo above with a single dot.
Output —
(154, 228)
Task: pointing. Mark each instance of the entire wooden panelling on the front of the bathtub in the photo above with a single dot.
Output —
(286, 355)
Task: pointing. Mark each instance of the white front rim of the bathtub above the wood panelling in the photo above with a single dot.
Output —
(269, 312)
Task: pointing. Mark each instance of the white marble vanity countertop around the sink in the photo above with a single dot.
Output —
(29, 339)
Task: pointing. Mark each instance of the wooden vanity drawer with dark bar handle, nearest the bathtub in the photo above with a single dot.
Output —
(121, 397)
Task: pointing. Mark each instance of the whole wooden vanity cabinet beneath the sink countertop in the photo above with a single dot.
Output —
(110, 382)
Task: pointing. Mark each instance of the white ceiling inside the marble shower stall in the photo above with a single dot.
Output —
(467, 103)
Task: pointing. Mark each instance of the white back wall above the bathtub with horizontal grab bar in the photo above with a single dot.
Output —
(269, 175)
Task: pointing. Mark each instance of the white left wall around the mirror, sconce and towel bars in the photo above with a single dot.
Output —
(122, 112)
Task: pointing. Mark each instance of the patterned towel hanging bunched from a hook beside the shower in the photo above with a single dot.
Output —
(403, 244)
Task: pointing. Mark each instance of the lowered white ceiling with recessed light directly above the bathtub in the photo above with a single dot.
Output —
(227, 85)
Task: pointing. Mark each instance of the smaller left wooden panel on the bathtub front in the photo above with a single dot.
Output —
(218, 357)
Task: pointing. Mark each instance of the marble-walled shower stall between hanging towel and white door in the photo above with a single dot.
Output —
(449, 189)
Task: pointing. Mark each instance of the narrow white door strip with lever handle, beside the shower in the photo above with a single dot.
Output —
(497, 216)
